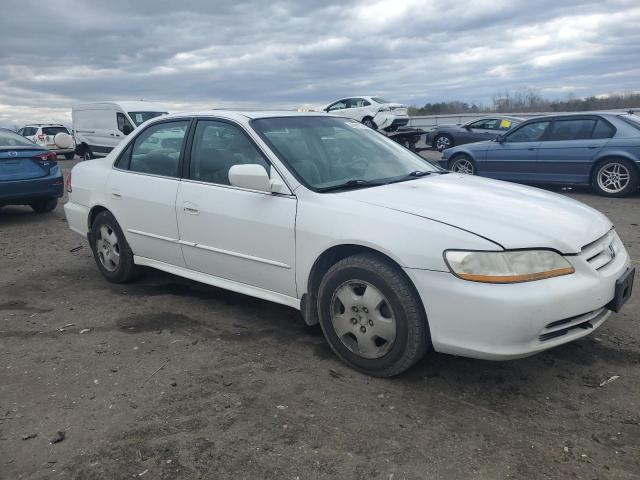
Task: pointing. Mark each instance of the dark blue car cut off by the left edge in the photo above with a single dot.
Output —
(29, 174)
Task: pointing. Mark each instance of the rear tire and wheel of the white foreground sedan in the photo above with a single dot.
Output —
(111, 250)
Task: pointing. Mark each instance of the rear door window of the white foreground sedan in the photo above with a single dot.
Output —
(157, 149)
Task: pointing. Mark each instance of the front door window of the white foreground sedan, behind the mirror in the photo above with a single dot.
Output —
(217, 146)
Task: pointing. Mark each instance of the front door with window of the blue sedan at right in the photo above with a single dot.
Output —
(516, 157)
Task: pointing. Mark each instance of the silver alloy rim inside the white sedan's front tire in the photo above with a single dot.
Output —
(362, 319)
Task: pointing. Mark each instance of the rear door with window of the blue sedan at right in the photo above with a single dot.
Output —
(568, 150)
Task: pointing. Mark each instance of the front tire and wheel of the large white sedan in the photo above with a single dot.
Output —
(398, 333)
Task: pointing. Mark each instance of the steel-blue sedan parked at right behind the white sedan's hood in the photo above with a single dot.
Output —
(597, 149)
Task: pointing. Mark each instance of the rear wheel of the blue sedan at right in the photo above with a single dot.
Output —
(615, 177)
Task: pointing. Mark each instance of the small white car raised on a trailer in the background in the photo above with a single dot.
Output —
(374, 112)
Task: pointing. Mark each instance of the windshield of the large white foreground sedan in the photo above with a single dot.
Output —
(326, 151)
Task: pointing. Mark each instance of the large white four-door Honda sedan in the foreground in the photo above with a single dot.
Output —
(389, 253)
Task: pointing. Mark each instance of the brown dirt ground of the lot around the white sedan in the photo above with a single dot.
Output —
(179, 380)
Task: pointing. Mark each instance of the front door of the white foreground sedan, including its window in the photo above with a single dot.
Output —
(232, 233)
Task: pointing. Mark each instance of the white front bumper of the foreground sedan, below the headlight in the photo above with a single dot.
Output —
(501, 322)
